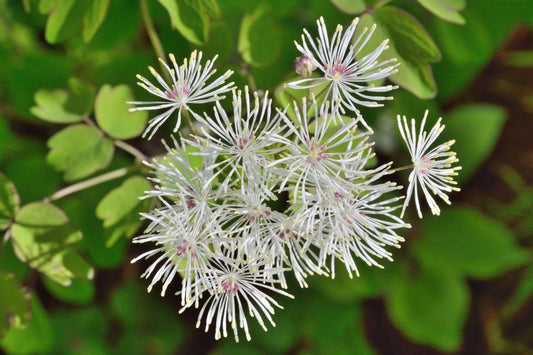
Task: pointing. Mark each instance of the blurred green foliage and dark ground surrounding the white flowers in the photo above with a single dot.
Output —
(462, 283)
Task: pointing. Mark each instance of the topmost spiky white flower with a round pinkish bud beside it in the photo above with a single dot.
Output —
(347, 77)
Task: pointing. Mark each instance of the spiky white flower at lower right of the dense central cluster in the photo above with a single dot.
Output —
(359, 224)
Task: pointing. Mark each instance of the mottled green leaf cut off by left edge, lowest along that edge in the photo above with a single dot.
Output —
(15, 303)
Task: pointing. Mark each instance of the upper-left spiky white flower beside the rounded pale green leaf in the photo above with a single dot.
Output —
(189, 86)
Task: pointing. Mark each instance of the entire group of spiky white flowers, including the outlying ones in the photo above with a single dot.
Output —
(263, 193)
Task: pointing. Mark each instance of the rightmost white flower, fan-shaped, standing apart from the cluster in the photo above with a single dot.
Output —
(432, 167)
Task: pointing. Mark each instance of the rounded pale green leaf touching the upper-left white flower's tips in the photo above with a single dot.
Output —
(112, 115)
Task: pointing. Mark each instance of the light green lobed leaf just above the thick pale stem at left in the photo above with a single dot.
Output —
(79, 151)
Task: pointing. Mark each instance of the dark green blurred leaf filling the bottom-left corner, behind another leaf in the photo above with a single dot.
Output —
(36, 338)
